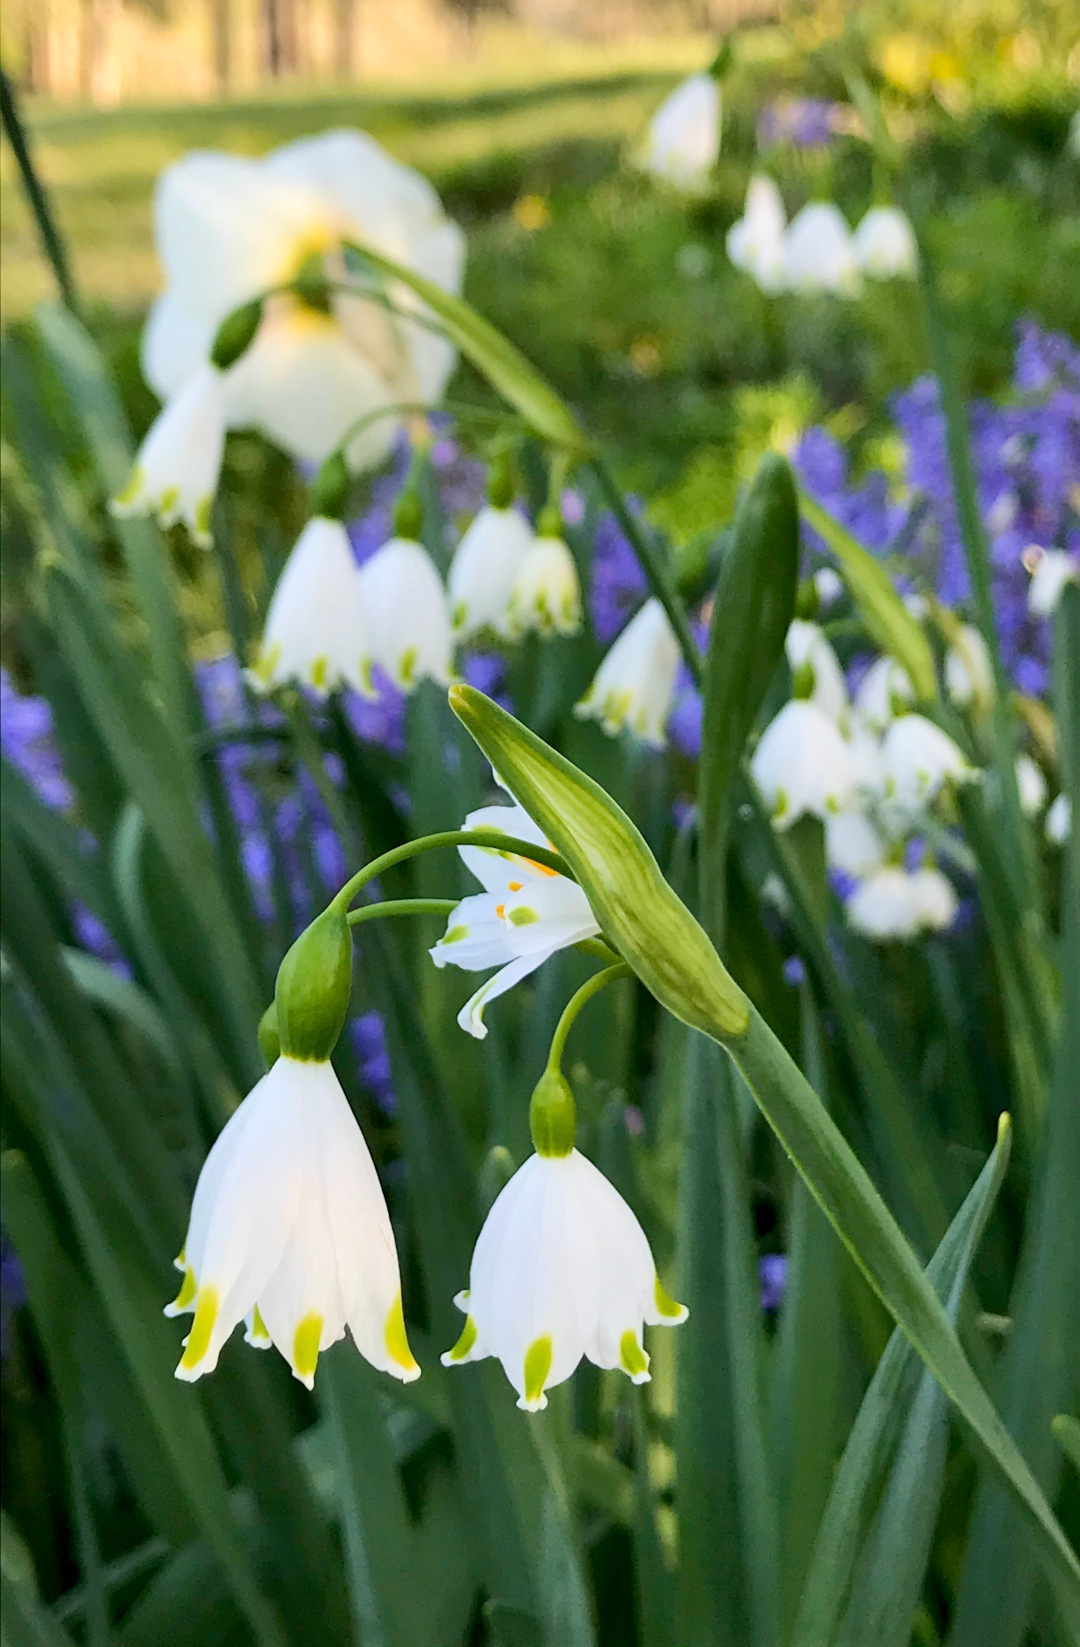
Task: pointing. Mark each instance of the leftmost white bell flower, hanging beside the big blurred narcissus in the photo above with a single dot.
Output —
(175, 475)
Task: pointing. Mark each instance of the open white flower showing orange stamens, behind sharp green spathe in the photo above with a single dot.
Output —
(524, 915)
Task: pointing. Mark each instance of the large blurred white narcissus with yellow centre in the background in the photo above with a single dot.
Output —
(230, 230)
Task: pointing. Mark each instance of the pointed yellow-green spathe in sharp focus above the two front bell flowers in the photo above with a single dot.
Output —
(636, 908)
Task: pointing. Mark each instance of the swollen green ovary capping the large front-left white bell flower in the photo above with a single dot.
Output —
(314, 989)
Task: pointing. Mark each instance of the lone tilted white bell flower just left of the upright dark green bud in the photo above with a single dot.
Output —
(636, 683)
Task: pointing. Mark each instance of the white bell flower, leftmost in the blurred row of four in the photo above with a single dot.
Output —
(317, 628)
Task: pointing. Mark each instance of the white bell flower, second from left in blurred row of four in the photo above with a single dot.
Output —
(407, 615)
